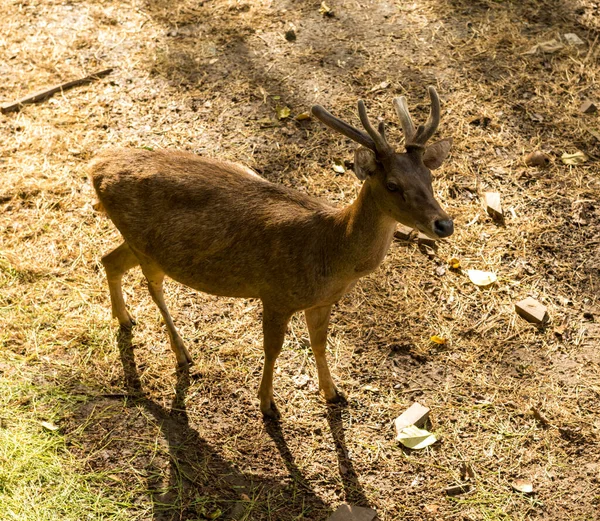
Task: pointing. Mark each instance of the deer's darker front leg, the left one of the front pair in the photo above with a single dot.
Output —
(274, 327)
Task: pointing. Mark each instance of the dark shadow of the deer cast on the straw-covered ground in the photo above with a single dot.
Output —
(197, 470)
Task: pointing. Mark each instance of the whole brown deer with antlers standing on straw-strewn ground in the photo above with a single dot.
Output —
(219, 227)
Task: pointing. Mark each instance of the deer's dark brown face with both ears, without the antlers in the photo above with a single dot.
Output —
(402, 186)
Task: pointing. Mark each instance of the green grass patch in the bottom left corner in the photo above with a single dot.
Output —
(40, 479)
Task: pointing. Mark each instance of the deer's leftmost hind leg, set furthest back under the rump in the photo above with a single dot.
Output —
(116, 263)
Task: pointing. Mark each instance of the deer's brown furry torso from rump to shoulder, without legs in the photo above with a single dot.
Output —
(212, 225)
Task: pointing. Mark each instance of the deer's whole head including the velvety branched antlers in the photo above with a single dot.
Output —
(401, 182)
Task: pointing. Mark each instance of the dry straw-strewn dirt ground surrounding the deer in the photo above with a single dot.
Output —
(511, 400)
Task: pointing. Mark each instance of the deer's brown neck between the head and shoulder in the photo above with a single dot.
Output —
(366, 234)
